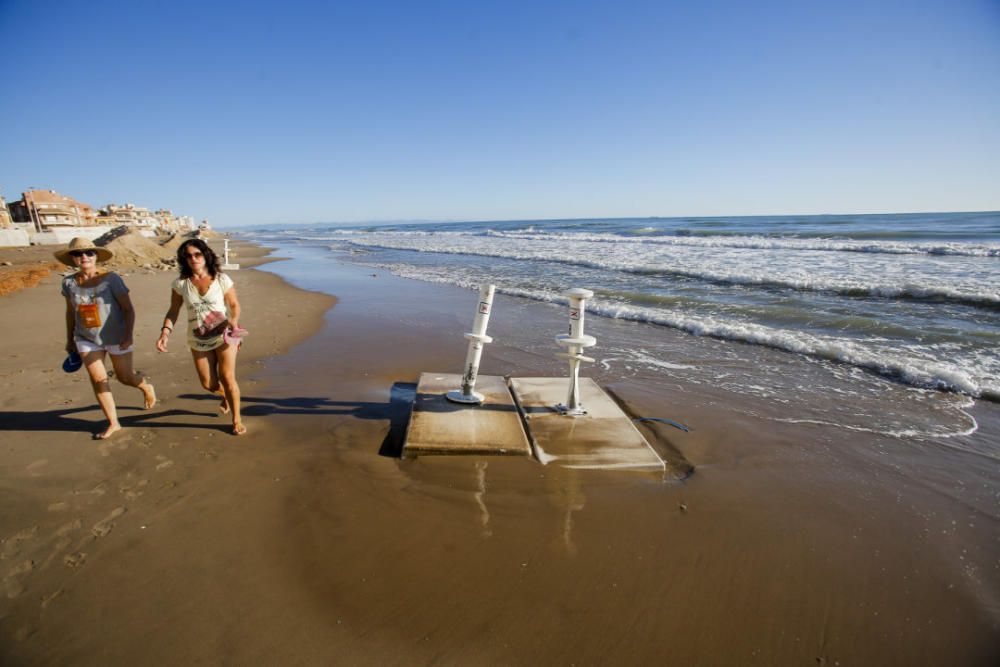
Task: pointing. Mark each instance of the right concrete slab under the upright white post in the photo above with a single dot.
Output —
(603, 438)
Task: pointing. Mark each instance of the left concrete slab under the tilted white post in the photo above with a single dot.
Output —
(438, 426)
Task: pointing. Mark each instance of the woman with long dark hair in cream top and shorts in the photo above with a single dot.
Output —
(213, 313)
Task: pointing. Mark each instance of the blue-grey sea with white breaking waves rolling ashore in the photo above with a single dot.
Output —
(902, 310)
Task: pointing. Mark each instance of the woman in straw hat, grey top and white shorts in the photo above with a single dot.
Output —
(99, 321)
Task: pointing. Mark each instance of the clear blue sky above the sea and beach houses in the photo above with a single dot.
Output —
(248, 113)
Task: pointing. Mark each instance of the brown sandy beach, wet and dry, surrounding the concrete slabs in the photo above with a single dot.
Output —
(309, 541)
